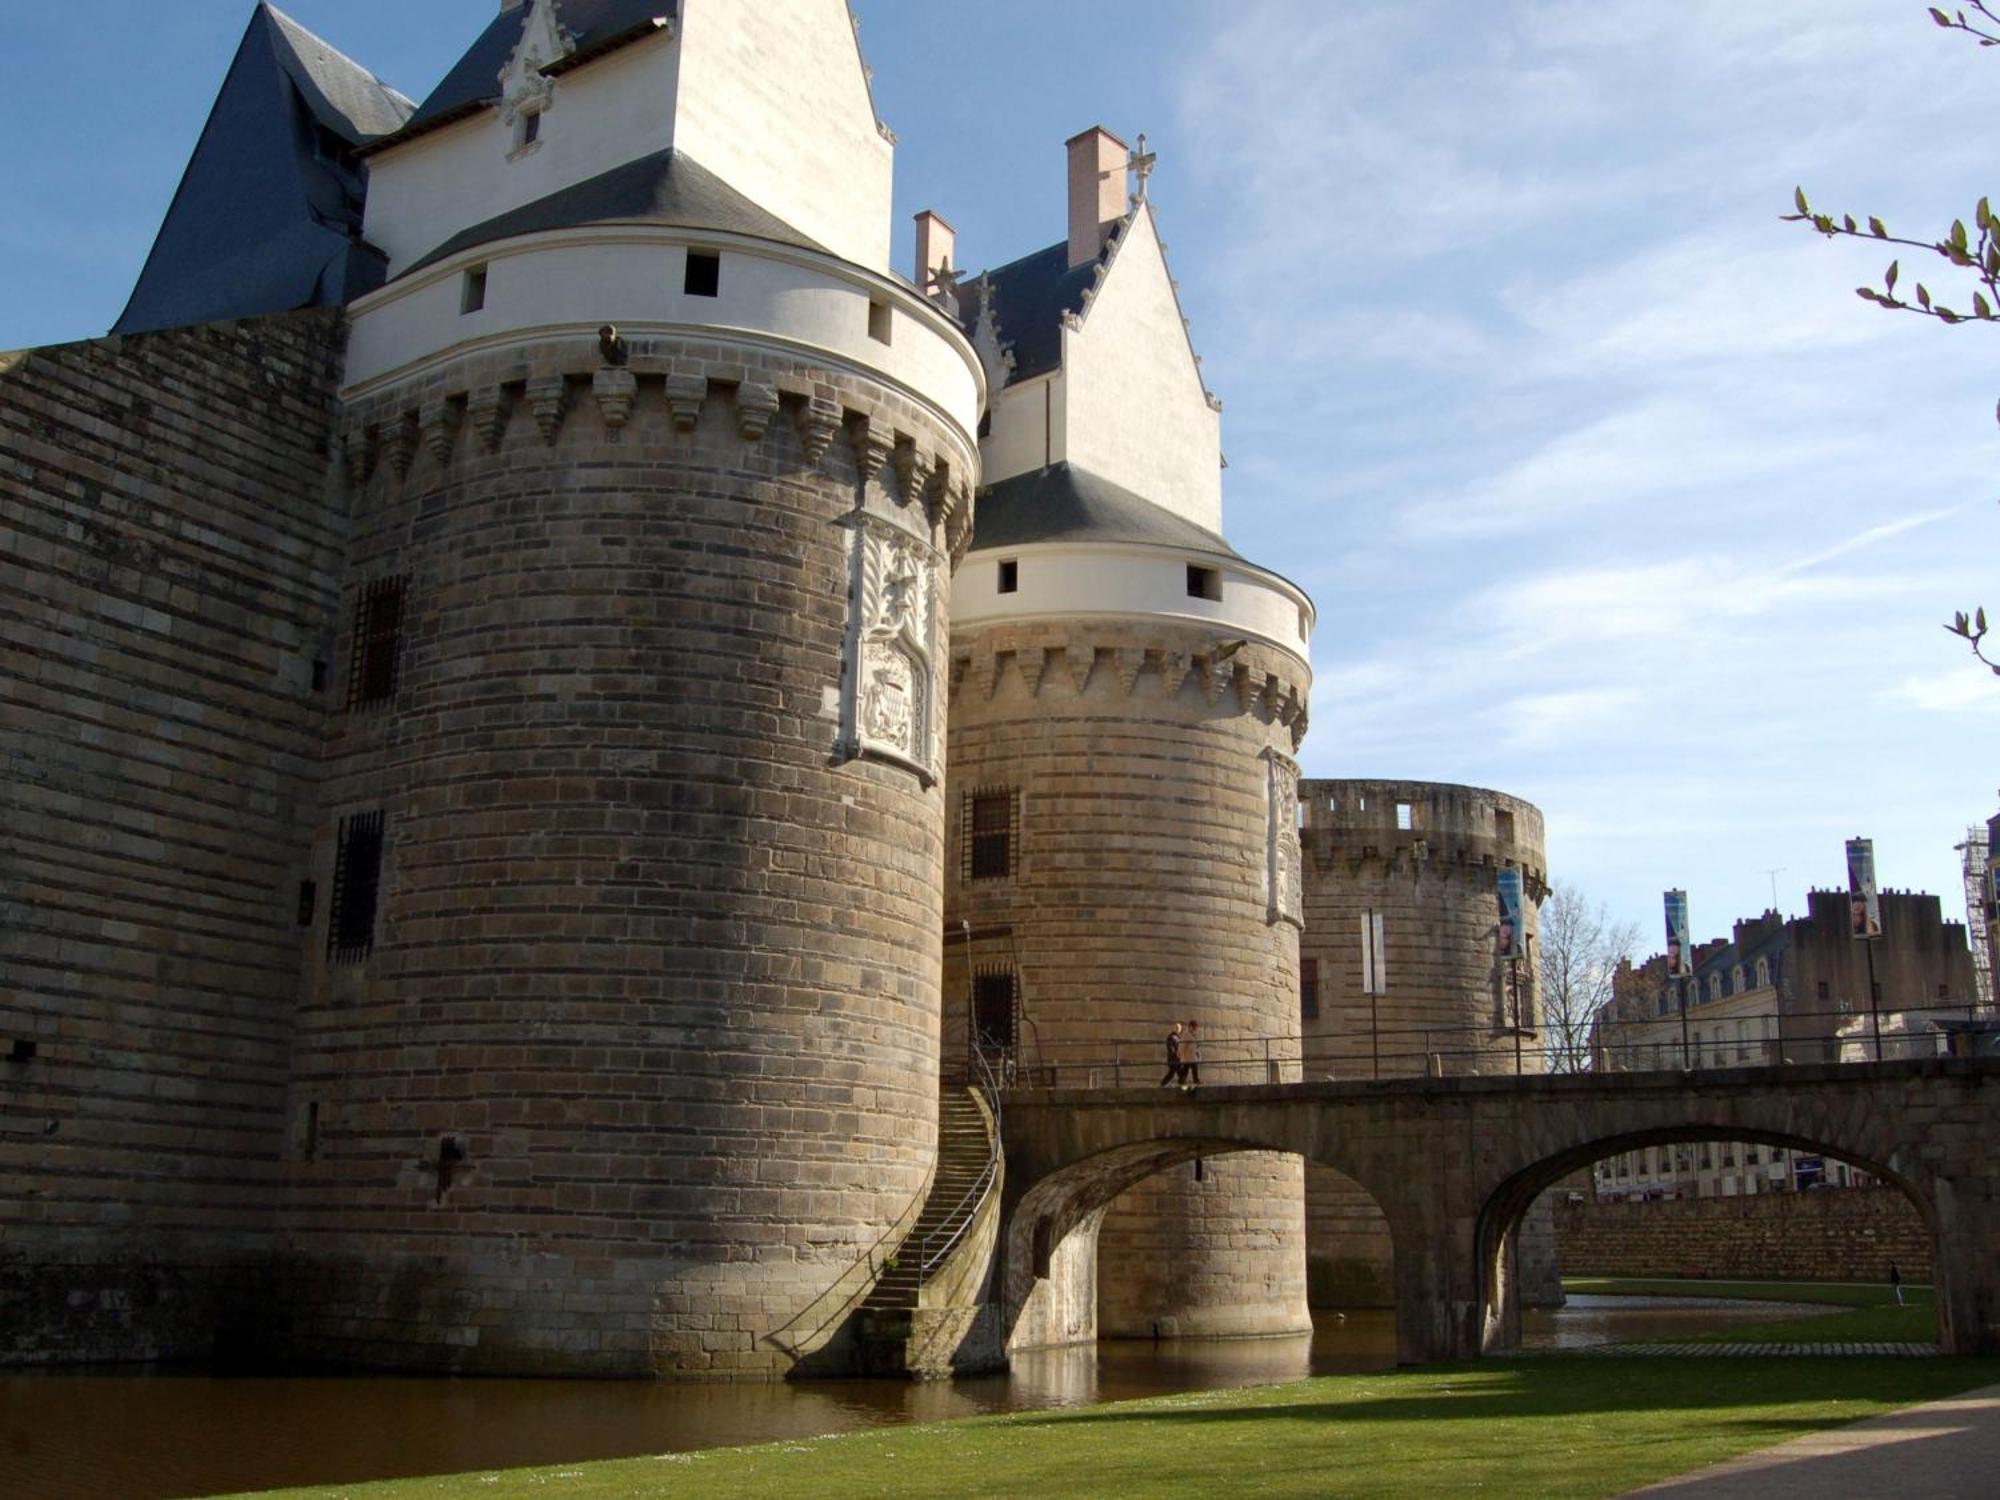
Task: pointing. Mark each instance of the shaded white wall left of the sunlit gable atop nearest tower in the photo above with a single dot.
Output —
(605, 115)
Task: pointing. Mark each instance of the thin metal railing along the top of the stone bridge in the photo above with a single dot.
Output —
(1651, 1045)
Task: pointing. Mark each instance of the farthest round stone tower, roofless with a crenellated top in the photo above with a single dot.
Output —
(1401, 973)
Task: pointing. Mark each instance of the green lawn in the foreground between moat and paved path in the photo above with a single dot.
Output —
(1543, 1427)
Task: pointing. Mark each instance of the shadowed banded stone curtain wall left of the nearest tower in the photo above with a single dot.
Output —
(169, 569)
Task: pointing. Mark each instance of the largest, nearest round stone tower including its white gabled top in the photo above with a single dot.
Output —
(623, 1055)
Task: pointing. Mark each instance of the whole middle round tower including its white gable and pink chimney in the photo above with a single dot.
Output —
(1129, 695)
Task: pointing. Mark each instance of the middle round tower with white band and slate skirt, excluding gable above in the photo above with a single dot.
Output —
(1123, 857)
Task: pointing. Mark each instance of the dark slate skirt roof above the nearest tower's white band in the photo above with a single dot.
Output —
(661, 189)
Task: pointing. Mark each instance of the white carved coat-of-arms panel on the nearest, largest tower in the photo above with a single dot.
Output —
(893, 707)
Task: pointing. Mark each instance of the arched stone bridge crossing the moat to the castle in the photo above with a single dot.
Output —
(1455, 1163)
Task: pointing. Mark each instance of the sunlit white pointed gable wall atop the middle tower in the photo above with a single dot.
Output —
(1137, 413)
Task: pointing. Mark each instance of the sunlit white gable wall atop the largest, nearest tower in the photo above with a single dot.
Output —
(773, 101)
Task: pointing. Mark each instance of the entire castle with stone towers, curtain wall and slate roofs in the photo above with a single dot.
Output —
(561, 707)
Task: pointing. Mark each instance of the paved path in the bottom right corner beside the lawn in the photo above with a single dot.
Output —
(1941, 1451)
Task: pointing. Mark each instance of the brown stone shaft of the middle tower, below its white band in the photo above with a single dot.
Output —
(1149, 779)
